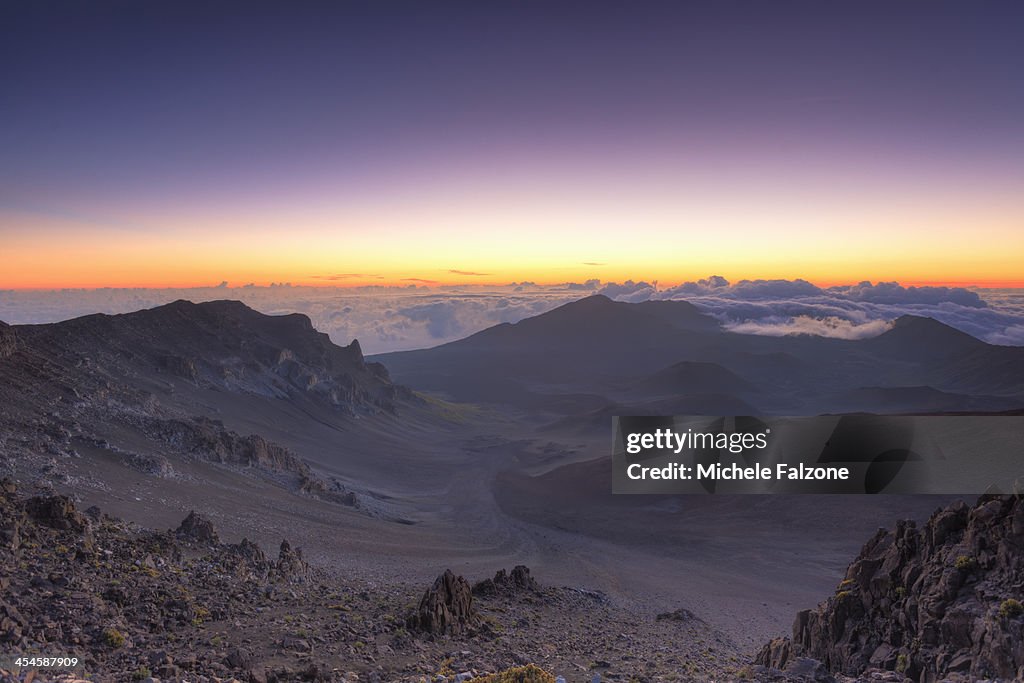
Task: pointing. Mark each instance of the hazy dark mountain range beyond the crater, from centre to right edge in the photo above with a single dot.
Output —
(634, 354)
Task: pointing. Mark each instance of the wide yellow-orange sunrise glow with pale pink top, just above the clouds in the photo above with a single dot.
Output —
(549, 242)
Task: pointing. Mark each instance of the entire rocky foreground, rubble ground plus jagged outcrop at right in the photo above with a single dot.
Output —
(941, 603)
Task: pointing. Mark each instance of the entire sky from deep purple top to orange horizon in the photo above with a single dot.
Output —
(179, 145)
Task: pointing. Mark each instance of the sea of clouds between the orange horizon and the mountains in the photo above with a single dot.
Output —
(392, 319)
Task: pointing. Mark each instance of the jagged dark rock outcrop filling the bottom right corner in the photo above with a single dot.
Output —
(934, 603)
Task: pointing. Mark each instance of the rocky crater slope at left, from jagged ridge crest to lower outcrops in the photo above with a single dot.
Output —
(142, 388)
